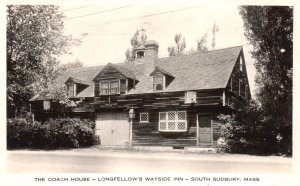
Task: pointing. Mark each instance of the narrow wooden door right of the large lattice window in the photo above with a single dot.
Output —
(204, 129)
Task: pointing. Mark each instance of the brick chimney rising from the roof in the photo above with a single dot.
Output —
(150, 56)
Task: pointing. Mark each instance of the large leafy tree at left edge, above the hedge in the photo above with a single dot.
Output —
(35, 40)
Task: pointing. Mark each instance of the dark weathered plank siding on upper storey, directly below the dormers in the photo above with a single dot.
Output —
(161, 100)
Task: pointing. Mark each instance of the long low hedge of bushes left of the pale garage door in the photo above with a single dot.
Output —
(53, 134)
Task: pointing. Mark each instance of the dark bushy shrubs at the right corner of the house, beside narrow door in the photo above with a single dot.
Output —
(249, 132)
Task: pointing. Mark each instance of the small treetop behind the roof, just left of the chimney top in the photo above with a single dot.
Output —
(139, 38)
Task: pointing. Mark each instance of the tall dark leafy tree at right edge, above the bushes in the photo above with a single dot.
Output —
(270, 30)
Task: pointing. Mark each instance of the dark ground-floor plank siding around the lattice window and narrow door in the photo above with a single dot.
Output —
(147, 134)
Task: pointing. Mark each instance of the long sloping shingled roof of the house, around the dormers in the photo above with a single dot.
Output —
(208, 70)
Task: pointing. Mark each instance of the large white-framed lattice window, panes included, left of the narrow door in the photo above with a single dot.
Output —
(173, 121)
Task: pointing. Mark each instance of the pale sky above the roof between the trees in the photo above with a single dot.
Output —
(109, 28)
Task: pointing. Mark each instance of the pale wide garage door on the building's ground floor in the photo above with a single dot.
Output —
(113, 128)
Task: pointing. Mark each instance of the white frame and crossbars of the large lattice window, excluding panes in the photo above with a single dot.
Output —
(176, 121)
